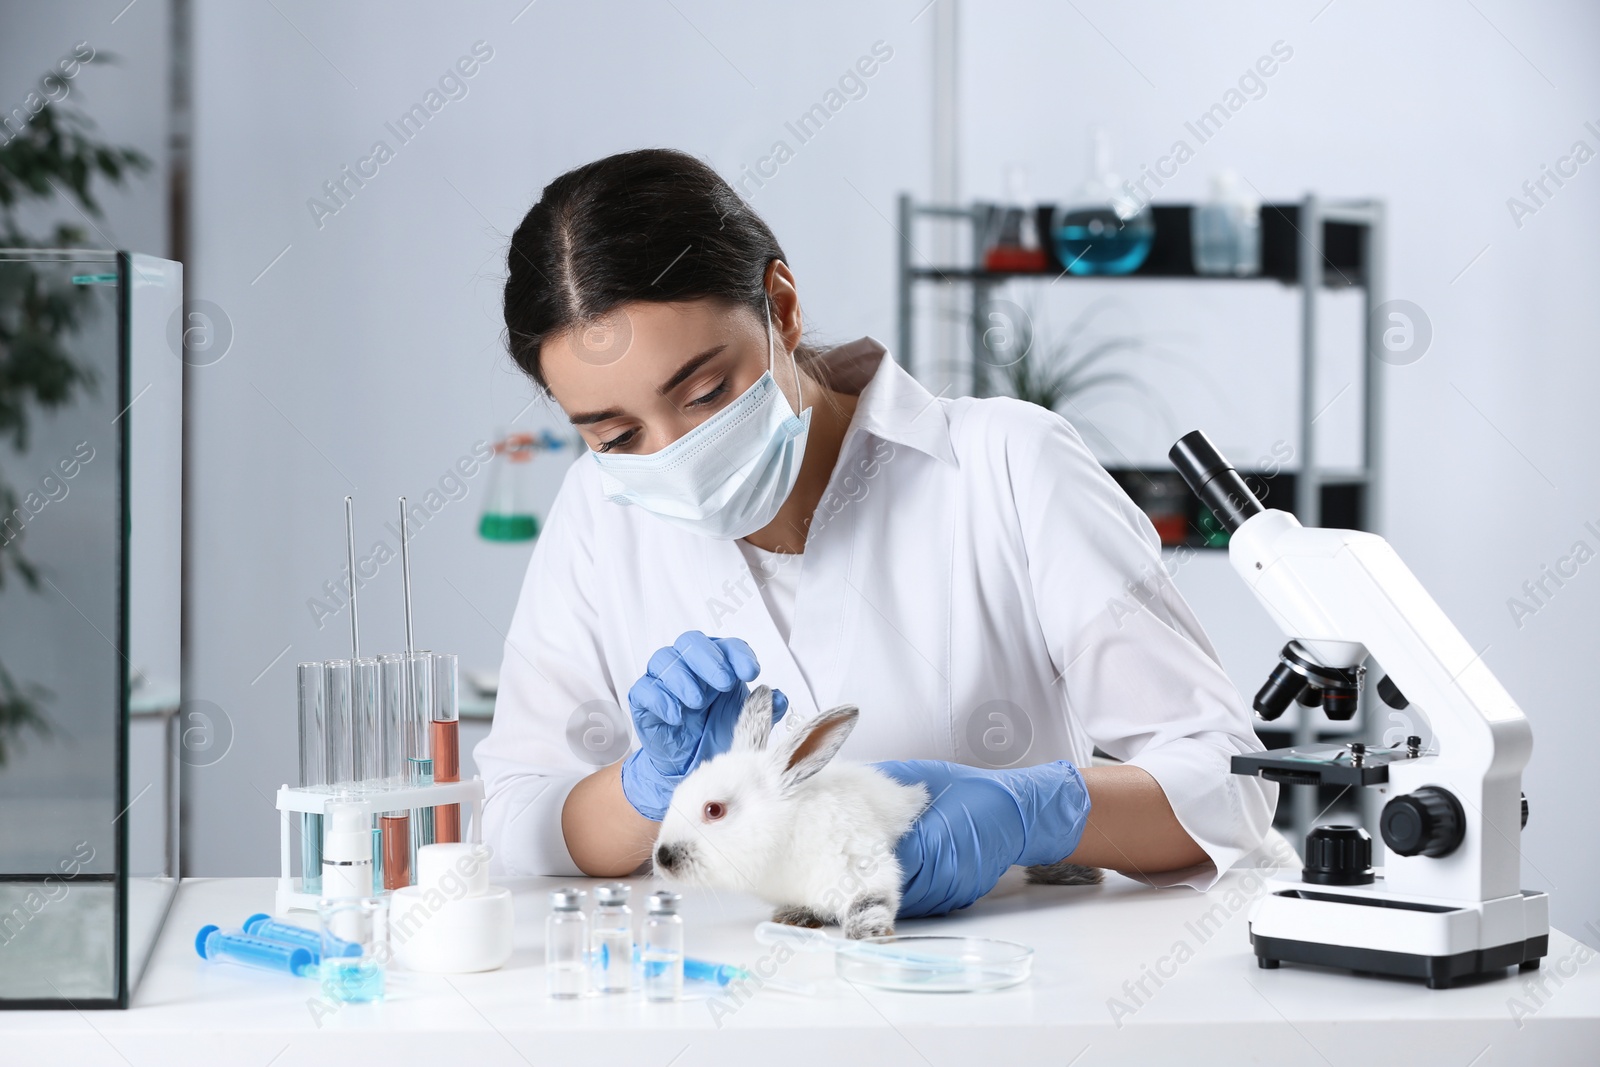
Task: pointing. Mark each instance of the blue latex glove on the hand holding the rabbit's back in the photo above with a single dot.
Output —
(982, 823)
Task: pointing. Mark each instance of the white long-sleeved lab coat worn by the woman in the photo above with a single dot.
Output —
(974, 581)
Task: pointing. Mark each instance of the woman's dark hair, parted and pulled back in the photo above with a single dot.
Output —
(654, 225)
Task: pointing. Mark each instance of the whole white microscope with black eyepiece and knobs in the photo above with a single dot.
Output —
(1449, 903)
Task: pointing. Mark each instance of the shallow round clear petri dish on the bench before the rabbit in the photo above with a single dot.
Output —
(924, 964)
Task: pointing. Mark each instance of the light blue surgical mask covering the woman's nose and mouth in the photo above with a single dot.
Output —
(729, 476)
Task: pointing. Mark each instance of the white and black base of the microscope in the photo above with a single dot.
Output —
(1377, 932)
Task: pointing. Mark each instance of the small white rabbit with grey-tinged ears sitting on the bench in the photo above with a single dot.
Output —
(815, 841)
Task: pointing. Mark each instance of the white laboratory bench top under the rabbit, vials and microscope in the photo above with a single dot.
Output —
(1124, 975)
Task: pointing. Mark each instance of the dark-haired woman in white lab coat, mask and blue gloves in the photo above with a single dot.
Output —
(962, 570)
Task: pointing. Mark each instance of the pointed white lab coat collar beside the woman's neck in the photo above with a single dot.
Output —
(894, 406)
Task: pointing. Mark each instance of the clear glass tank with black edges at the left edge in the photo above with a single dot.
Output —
(90, 591)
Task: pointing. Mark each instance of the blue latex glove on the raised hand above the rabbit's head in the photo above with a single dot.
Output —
(684, 711)
